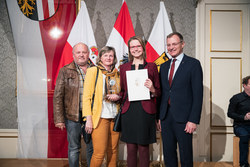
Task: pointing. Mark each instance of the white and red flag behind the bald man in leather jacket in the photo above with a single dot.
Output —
(81, 32)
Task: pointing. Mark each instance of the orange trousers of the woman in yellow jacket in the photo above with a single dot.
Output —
(105, 140)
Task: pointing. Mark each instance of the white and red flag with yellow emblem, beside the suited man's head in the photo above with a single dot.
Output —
(156, 45)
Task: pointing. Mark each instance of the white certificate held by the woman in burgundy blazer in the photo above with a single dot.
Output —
(135, 82)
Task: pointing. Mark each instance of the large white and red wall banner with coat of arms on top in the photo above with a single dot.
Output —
(40, 30)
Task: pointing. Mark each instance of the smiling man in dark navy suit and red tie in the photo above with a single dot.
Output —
(181, 102)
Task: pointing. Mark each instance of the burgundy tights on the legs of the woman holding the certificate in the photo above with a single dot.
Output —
(132, 150)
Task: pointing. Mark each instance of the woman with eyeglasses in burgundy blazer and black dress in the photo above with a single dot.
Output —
(139, 117)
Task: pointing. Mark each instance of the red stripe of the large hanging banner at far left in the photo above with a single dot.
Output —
(57, 139)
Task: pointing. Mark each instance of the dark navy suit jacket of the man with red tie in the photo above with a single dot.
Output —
(185, 93)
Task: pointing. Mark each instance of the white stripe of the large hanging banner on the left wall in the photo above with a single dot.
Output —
(31, 85)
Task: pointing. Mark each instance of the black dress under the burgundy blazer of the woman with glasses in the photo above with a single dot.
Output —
(138, 127)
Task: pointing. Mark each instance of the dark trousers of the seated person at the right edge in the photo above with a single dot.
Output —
(243, 132)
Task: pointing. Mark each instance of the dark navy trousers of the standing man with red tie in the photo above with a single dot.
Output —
(173, 133)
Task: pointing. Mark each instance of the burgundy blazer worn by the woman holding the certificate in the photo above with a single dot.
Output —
(148, 105)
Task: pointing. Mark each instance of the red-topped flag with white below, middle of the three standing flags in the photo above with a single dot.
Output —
(121, 32)
